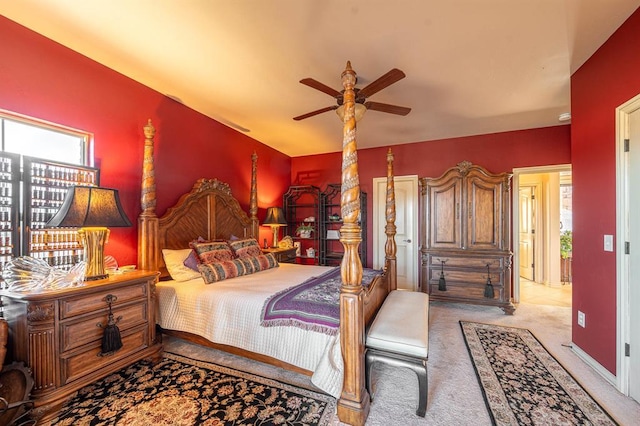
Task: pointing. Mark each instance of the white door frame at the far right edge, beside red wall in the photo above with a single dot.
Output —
(623, 323)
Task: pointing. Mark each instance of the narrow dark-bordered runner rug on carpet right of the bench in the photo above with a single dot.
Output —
(523, 384)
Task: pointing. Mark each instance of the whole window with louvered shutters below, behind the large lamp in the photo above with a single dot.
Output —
(38, 162)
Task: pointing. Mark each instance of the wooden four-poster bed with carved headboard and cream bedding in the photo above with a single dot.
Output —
(210, 211)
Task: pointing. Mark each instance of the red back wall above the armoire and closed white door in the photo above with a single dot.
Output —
(497, 152)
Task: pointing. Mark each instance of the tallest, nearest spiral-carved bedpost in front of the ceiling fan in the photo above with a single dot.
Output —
(354, 404)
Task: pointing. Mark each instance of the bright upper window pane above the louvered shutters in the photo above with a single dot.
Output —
(35, 138)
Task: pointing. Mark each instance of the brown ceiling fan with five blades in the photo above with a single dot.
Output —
(362, 104)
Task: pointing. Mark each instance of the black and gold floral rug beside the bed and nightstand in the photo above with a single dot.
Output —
(181, 391)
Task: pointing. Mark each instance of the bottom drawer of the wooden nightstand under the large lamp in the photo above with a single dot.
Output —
(82, 362)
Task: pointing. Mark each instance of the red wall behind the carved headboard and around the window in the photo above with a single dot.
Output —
(42, 79)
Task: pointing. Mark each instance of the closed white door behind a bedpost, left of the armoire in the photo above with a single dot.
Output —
(406, 190)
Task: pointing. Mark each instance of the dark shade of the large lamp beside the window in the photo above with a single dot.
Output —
(86, 206)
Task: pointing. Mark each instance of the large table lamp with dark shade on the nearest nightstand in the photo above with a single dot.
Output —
(93, 210)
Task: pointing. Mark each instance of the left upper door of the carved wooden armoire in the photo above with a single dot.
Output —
(444, 214)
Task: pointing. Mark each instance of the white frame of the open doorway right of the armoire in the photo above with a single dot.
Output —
(515, 222)
